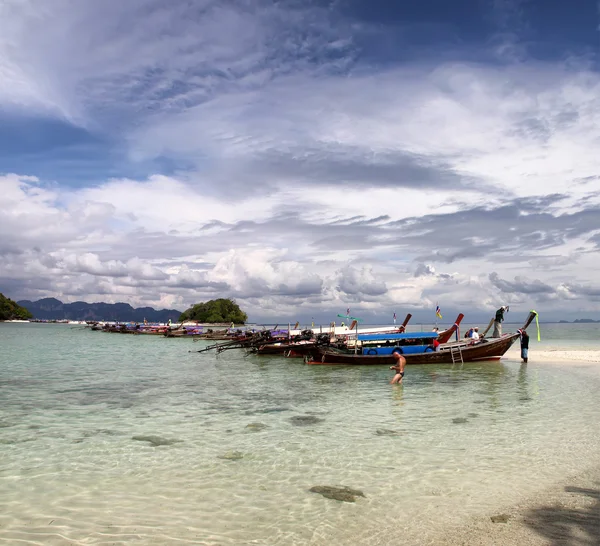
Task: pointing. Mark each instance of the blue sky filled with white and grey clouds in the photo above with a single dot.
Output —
(303, 157)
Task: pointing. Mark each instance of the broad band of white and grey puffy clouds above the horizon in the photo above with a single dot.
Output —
(244, 259)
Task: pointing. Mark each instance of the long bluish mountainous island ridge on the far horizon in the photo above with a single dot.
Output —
(53, 309)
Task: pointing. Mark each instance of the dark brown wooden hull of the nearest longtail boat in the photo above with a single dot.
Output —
(484, 350)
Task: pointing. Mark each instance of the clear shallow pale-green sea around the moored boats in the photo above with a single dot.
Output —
(109, 439)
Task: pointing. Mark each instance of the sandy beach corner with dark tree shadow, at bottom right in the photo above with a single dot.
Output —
(567, 514)
